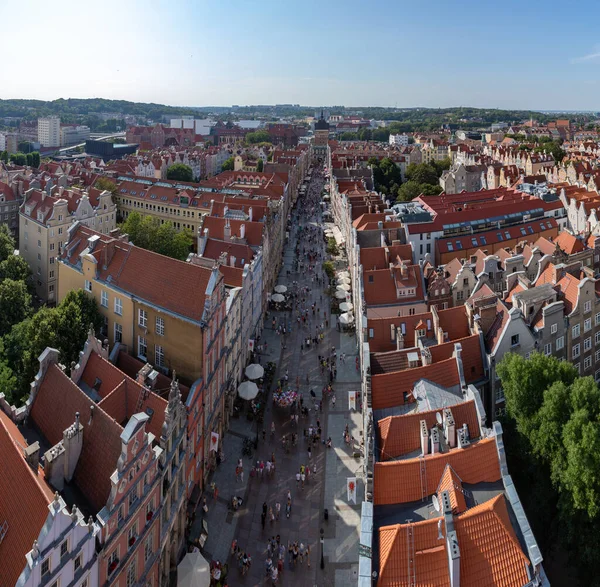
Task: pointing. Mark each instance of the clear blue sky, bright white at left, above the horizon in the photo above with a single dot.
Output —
(434, 53)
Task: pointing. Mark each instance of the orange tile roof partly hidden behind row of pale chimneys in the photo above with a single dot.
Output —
(400, 435)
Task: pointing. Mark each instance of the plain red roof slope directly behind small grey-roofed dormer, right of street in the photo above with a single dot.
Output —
(388, 389)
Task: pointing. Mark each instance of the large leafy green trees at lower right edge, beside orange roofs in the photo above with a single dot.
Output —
(553, 416)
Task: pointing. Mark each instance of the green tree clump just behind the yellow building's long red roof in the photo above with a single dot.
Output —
(149, 233)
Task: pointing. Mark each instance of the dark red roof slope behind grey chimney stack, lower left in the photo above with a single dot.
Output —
(53, 411)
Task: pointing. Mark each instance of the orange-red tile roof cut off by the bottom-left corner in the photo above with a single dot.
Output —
(23, 504)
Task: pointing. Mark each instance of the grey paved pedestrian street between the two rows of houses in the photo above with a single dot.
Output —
(326, 489)
